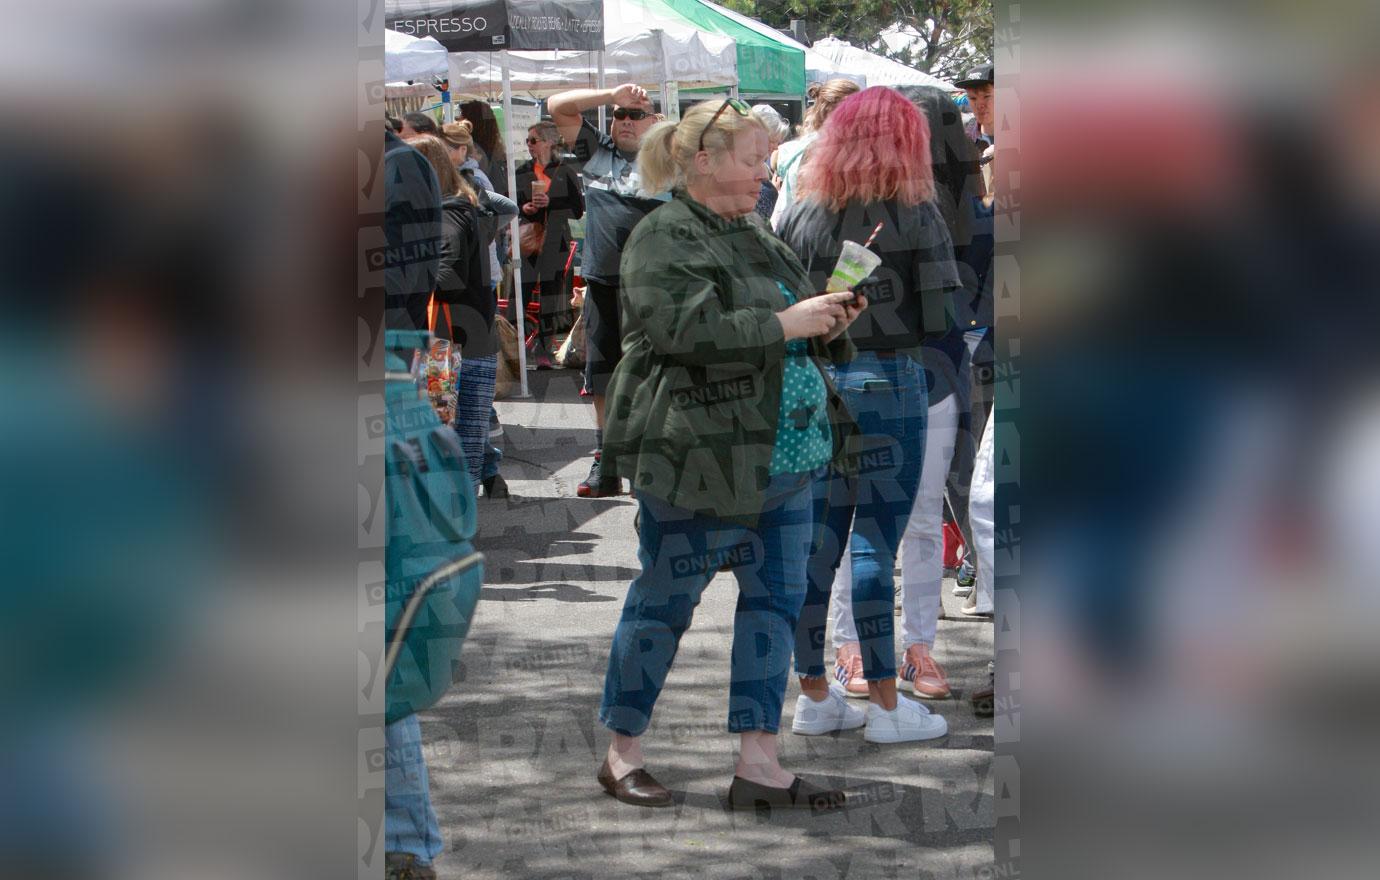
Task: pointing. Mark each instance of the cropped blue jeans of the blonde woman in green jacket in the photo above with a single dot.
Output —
(681, 552)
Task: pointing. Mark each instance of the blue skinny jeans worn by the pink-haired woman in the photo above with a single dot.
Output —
(888, 399)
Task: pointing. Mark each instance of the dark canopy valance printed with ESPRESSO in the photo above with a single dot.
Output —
(493, 26)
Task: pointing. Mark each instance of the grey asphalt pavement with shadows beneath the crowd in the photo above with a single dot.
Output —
(514, 748)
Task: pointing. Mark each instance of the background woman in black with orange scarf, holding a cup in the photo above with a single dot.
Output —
(550, 197)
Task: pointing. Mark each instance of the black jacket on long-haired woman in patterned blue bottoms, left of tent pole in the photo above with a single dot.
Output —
(460, 282)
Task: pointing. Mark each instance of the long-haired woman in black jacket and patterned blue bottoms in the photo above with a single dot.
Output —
(471, 301)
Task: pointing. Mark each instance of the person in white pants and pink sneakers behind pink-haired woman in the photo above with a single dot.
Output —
(921, 550)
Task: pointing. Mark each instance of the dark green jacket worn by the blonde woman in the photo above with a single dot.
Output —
(692, 409)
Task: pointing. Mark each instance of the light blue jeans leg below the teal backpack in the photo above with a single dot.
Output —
(409, 820)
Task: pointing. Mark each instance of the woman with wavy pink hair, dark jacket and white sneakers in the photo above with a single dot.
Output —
(869, 179)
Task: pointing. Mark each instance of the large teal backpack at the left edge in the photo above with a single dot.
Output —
(434, 572)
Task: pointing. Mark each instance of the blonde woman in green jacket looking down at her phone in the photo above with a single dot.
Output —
(722, 420)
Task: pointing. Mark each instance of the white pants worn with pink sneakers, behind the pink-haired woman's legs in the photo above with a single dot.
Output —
(923, 544)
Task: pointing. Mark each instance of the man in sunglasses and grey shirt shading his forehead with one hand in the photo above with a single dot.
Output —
(613, 206)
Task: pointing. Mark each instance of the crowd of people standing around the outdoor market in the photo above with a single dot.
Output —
(812, 437)
